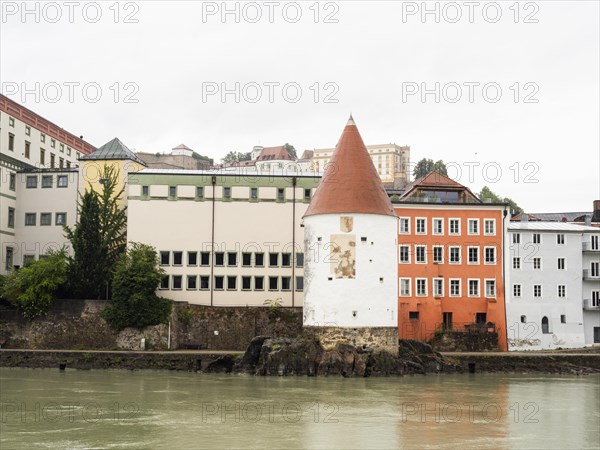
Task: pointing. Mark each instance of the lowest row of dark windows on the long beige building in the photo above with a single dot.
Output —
(231, 283)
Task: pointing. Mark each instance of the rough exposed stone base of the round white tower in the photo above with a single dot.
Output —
(375, 338)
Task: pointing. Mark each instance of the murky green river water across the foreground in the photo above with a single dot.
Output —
(120, 409)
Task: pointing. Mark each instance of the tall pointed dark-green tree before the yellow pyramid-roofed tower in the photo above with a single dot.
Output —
(98, 239)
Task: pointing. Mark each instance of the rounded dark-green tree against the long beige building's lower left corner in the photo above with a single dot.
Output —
(134, 300)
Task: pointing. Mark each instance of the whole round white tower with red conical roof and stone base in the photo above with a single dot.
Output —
(351, 265)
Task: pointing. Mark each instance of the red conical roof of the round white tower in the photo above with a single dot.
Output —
(350, 183)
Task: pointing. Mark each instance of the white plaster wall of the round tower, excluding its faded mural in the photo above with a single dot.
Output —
(331, 302)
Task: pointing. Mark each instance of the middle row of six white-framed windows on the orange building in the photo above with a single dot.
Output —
(421, 254)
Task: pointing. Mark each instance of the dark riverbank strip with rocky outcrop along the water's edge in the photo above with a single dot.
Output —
(272, 357)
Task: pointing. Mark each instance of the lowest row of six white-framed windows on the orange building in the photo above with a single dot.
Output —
(421, 287)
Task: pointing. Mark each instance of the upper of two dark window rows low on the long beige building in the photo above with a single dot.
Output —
(230, 259)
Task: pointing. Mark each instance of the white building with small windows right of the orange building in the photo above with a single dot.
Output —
(553, 286)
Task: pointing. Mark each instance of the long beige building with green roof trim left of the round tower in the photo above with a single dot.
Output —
(224, 238)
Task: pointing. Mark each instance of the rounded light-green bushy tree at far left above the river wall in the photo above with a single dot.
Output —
(32, 289)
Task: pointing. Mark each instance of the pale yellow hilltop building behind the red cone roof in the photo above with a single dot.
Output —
(390, 160)
